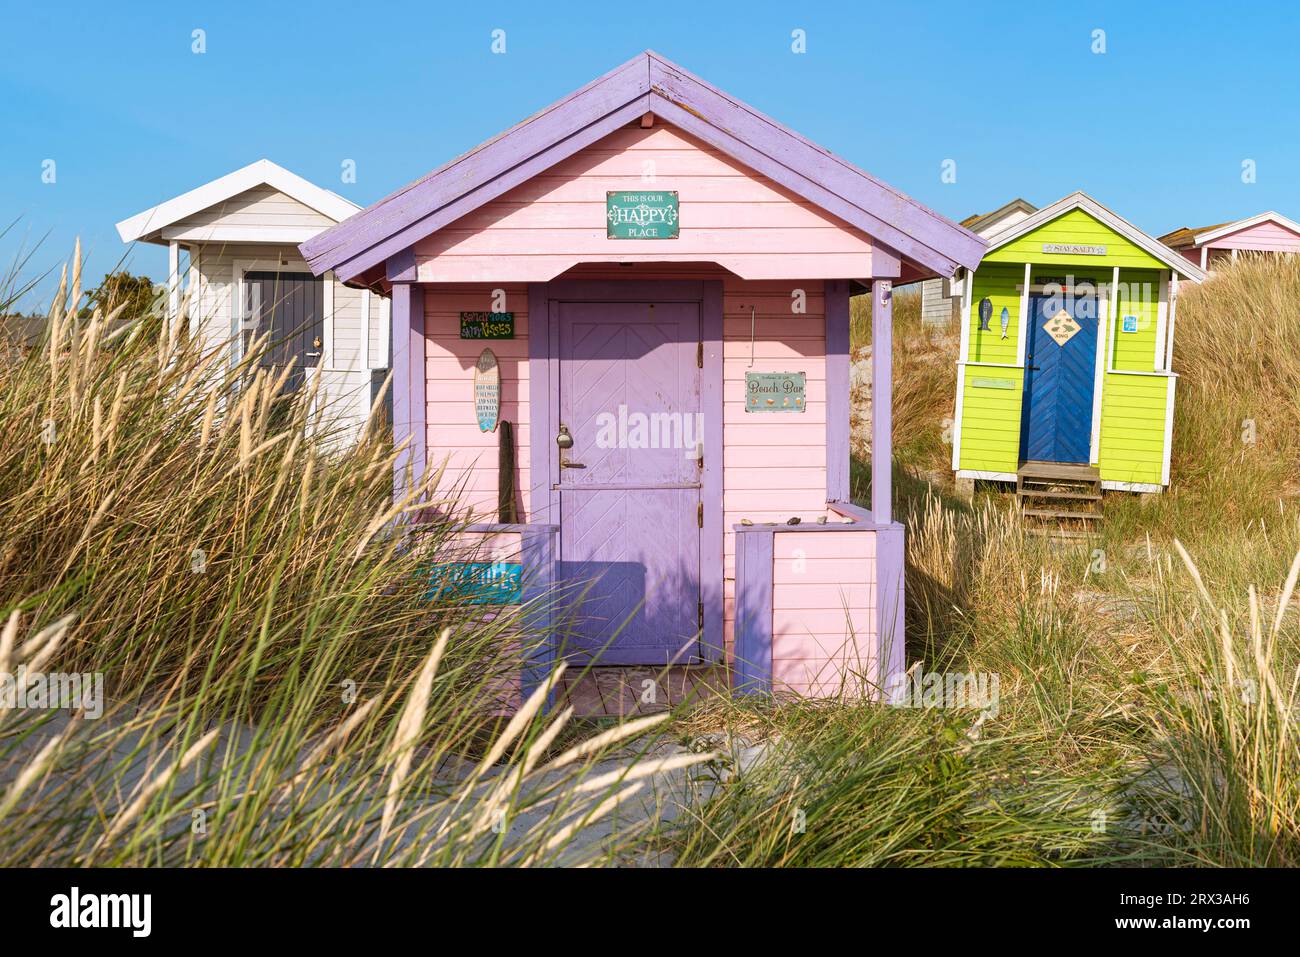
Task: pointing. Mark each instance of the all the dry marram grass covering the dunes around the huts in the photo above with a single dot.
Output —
(281, 692)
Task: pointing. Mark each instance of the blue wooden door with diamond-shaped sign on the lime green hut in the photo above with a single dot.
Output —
(1060, 369)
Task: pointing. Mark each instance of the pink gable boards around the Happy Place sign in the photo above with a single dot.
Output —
(729, 214)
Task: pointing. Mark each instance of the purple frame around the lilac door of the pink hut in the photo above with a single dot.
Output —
(544, 361)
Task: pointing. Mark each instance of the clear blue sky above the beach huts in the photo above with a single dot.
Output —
(1156, 128)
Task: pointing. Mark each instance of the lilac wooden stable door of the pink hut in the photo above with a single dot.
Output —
(630, 484)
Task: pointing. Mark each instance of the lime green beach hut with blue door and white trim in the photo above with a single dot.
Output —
(1064, 378)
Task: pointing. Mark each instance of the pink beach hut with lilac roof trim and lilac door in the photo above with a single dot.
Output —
(651, 283)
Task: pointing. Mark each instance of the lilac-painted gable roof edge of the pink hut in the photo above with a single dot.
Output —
(648, 84)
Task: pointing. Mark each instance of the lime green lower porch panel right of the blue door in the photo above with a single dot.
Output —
(1133, 428)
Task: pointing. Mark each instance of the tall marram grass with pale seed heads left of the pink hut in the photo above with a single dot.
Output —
(279, 690)
